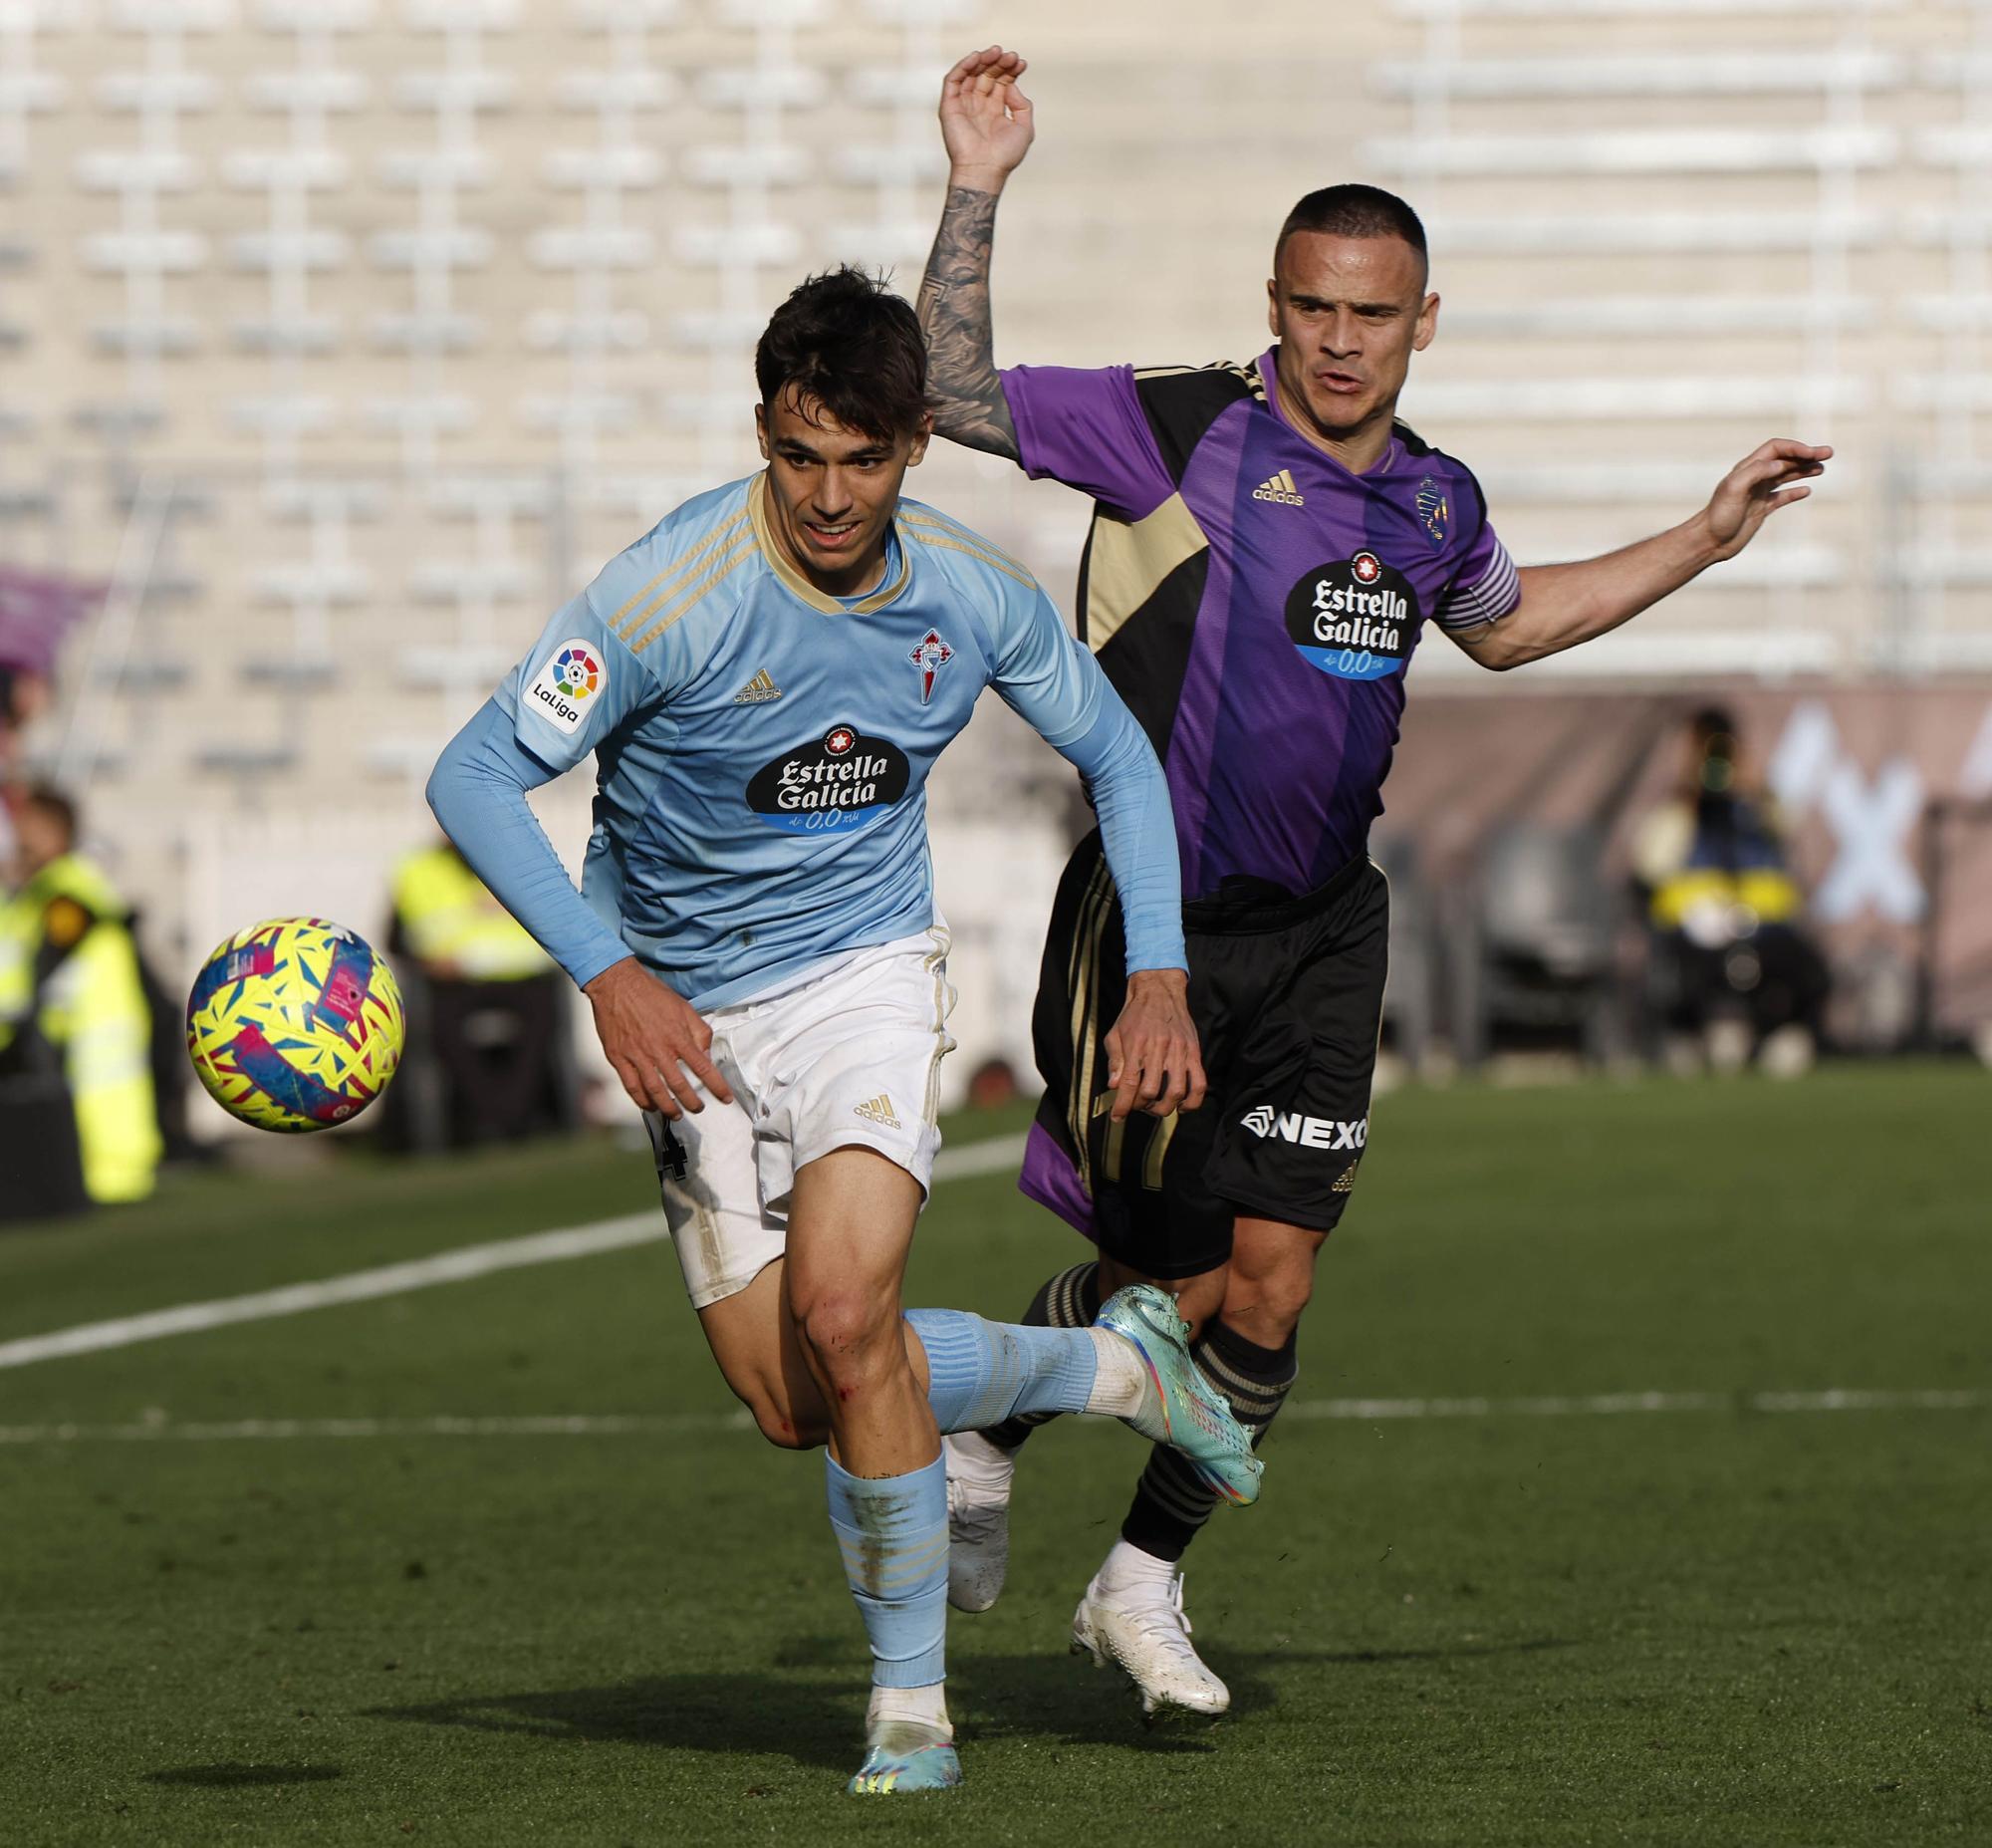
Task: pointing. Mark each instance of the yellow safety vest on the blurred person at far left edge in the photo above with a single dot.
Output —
(93, 1013)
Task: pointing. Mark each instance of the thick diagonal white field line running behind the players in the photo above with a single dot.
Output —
(457, 1266)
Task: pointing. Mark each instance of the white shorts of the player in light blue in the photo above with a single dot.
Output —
(850, 1054)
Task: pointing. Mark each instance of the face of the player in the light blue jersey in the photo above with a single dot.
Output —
(832, 491)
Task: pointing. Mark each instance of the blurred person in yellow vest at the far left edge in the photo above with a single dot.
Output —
(79, 1106)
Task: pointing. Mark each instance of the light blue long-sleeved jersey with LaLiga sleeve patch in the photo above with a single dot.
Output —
(764, 750)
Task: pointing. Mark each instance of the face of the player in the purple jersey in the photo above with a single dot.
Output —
(1350, 314)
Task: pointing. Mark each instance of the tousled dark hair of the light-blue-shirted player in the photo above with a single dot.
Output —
(848, 342)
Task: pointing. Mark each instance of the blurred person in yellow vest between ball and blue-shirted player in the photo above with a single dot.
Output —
(489, 1054)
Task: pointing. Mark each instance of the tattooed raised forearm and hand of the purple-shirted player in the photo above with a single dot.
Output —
(987, 126)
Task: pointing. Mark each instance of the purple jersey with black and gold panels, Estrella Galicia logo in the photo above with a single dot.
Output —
(1254, 602)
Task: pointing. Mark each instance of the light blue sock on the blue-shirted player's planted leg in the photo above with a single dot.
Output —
(893, 1532)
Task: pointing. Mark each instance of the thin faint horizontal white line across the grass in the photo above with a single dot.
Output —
(1358, 1411)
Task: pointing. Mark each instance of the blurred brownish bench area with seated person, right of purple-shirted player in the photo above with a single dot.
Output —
(1690, 881)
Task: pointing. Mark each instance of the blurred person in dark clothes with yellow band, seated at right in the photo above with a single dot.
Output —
(1734, 971)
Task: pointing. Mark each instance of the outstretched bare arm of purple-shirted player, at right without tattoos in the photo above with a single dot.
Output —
(1565, 606)
